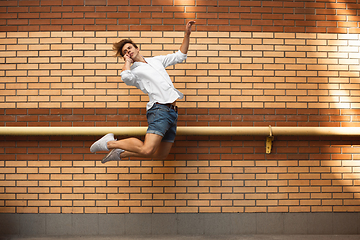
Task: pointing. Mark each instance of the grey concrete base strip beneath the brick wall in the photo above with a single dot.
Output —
(179, 224)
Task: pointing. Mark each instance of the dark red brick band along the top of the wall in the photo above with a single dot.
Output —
(328, 16)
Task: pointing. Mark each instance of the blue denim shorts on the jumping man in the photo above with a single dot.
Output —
(162, 121)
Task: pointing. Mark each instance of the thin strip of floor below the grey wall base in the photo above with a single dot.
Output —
(239, 237)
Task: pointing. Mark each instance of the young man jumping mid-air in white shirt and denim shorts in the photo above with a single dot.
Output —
(150, 76)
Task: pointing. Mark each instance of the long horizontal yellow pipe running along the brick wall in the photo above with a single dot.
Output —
(189, 131)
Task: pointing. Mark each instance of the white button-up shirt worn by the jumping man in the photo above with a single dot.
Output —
(151, 78)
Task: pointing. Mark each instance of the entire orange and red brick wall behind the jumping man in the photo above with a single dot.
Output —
(250, 63)
